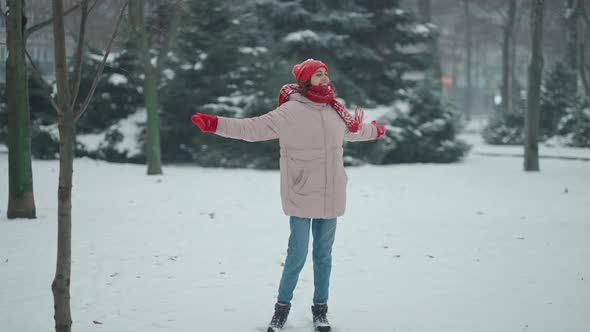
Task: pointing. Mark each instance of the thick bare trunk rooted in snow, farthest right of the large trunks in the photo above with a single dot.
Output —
(531, 142)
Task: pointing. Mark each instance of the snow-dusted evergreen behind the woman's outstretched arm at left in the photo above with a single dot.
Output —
(217, 70)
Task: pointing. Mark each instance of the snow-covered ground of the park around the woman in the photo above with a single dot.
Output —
(477, 246)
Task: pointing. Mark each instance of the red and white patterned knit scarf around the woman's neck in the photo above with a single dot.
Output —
(325, 95)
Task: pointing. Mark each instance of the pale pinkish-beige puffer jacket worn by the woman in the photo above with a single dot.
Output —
(313, 179)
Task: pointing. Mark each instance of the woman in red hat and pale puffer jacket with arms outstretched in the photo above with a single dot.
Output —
(311, 127)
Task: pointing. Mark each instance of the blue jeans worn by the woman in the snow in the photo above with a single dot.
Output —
(323, 231)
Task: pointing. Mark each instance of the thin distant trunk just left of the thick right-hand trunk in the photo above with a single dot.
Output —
(507, 42)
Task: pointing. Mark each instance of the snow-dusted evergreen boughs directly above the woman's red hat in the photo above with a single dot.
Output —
(362, 42)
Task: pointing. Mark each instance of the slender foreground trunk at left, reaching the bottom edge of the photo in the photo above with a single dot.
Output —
(61, 281)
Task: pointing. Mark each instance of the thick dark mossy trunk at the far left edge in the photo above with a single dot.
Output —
(21, 201)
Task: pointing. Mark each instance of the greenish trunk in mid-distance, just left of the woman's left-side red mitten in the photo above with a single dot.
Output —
(150, 91)
